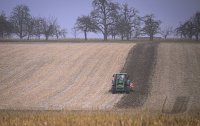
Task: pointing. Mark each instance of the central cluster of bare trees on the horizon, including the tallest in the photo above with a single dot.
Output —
(113, 19)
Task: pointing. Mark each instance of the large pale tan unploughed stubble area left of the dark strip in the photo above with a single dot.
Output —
(59, 76)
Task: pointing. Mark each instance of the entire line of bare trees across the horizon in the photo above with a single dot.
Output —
(109, 18)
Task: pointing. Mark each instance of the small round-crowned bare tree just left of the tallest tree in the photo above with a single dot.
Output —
(85, 24)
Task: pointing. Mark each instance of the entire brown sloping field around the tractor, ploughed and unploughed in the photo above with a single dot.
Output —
(78, 76)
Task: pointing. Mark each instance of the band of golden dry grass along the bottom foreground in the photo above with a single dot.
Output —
(91, 118)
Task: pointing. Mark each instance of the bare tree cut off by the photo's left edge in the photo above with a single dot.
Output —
(5, 26)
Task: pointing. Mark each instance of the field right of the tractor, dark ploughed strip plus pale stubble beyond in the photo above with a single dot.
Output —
(167, 77)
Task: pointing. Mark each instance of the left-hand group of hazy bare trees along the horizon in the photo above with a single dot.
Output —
(23, 25)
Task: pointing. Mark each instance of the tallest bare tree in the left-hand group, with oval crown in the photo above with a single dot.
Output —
(19, 19)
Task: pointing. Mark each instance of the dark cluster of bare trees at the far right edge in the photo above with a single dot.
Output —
(191, 28)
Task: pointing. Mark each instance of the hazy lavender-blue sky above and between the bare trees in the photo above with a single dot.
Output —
(170, 12)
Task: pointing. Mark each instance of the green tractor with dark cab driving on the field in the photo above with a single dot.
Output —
(121, 83)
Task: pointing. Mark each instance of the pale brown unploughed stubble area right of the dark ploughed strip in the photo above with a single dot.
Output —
(176, 79)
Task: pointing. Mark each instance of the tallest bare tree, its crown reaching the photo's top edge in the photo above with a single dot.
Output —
(102, 13)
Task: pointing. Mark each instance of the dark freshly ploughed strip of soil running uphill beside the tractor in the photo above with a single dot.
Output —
(139, 66)
